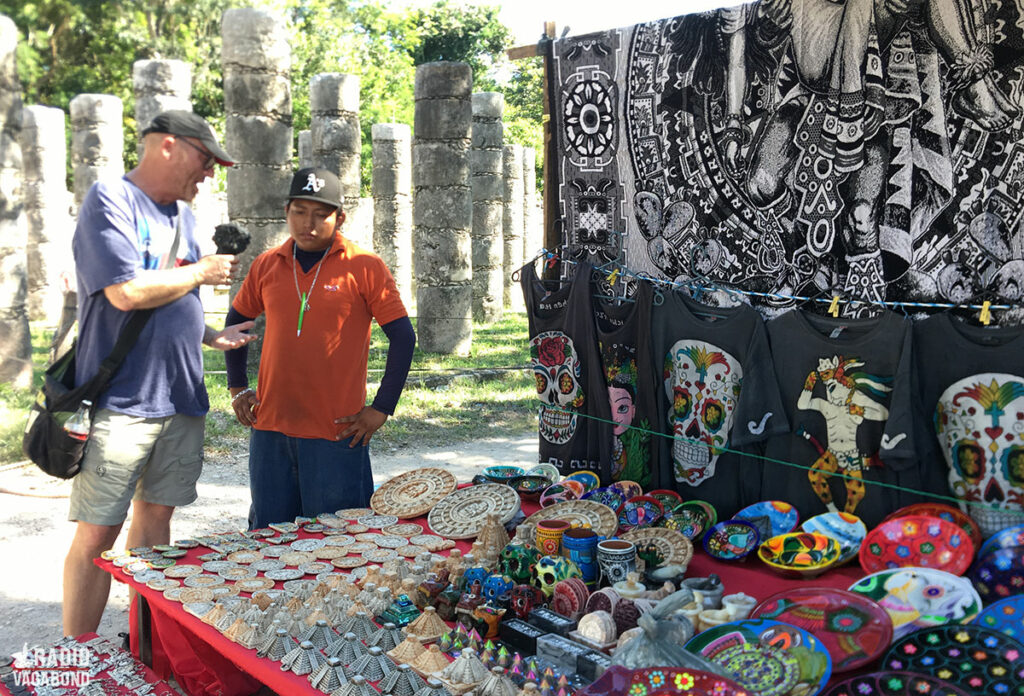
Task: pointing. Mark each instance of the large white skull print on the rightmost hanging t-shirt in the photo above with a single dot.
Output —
(980, 422)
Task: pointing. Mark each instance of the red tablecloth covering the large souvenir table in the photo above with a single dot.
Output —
(206, 664)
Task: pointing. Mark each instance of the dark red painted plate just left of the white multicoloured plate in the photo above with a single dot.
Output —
(854, 629)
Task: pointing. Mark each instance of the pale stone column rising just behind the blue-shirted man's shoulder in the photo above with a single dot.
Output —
(98, 141)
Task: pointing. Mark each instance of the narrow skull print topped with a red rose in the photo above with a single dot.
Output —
(558, 372)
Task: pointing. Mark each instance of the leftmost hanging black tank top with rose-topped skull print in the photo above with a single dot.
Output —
(568, 370)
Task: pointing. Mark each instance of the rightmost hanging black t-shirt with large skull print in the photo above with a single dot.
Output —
(971, 381)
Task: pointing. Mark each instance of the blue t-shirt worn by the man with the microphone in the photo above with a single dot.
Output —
(120, 234)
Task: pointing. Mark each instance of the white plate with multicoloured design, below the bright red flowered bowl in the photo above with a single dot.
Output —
(918, 598)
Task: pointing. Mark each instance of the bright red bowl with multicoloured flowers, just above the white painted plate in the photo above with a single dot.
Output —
(917, 541)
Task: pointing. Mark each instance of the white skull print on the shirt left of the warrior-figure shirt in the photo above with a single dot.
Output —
(703, 383)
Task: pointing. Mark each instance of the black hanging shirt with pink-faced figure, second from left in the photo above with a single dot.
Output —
(624, 340)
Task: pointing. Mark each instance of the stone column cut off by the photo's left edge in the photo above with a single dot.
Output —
(16, 341)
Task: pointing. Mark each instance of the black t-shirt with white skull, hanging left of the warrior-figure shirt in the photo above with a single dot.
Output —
(716, 397)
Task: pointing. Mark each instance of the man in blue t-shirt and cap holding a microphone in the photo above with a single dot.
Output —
(135, 248)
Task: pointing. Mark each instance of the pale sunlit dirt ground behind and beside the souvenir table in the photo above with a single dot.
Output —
(35, 533)
